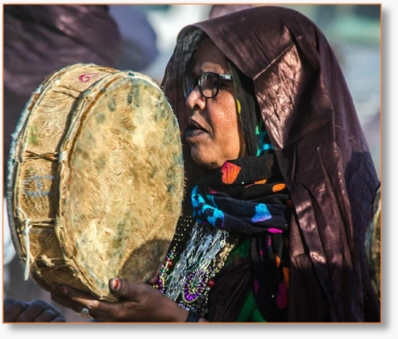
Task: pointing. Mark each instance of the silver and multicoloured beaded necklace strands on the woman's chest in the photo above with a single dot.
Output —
(191, 278)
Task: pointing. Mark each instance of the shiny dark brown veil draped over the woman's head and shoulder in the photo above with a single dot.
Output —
(322, 153)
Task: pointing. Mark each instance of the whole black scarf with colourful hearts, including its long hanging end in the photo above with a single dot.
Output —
(246, 197)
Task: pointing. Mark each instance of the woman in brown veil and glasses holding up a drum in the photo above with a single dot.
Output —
(280, 183)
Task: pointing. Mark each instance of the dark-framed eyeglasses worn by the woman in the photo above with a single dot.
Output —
(208, 82)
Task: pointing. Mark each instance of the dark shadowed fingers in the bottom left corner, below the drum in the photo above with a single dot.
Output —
(34, 311)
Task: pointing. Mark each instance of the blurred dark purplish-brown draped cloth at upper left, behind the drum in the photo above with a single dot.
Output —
(40, 39)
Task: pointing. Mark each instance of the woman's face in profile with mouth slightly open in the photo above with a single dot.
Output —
(213, 133)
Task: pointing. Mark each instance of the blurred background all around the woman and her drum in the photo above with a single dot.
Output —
(41, 39)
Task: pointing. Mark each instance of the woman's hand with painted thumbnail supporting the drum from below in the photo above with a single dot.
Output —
(139, 302)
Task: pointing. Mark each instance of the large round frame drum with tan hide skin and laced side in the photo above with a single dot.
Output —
(95, 180)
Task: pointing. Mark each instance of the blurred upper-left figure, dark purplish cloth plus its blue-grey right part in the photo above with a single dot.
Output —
(41, 39)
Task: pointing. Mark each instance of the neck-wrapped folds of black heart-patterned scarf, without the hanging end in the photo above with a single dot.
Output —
(242, 197)
